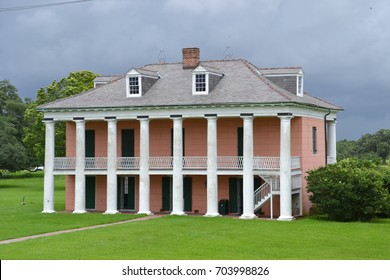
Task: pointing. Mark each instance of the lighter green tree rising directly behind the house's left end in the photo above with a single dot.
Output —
(34, 139)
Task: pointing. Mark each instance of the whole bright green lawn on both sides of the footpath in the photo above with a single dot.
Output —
(188, 237)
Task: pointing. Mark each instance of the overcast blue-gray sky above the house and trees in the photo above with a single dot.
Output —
(342, 45)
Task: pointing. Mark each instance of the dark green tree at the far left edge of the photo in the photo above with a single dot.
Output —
(13, 155)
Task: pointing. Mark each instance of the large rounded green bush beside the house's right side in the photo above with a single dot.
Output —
(350, 190)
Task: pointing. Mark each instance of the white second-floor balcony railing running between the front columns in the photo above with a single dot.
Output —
(166, 163)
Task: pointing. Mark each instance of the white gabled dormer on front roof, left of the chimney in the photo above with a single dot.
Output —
(139, 81)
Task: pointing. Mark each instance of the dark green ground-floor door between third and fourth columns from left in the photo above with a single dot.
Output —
(126, 193)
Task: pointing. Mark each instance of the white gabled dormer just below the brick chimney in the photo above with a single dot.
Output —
(204, 79)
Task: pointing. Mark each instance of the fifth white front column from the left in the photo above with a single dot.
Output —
(177, 182)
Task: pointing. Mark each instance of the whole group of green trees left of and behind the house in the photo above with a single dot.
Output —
(22, 132)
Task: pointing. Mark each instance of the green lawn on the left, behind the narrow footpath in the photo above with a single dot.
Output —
(21, 205)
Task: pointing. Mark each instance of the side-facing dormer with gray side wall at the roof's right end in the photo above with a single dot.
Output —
(289, 78)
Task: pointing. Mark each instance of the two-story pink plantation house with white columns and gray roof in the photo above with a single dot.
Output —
(208, 137)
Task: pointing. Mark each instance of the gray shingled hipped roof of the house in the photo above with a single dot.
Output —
(242, 83)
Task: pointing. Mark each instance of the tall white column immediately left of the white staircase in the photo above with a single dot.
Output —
(248, 194)
